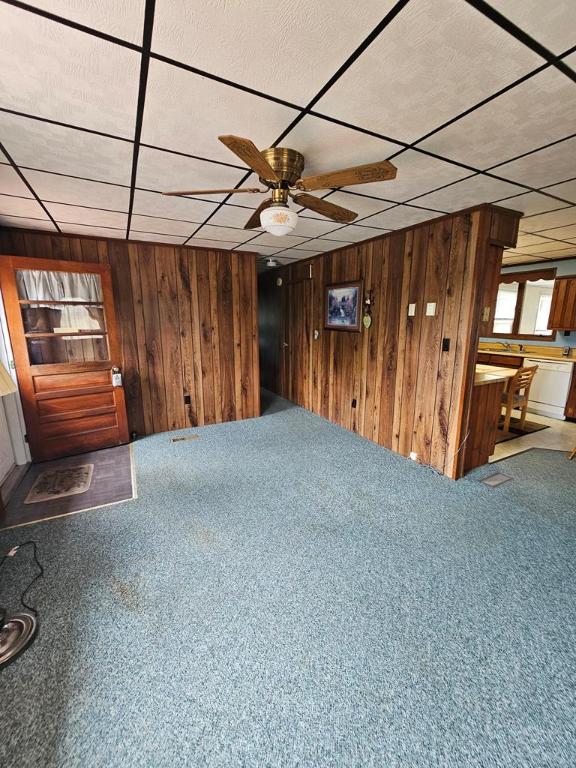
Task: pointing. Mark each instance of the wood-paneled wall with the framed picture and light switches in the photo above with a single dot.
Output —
(394, 383)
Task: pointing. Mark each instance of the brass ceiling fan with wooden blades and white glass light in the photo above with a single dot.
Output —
(280, 170)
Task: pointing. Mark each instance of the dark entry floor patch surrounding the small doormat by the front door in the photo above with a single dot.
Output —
(111, 482)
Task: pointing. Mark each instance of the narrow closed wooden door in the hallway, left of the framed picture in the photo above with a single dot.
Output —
(297, 349)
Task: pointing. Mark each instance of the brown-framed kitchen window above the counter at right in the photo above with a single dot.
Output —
(523, 305)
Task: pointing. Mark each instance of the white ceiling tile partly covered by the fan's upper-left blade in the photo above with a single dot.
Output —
(187, 113)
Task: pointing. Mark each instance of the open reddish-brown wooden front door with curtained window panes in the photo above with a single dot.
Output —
(63, 330)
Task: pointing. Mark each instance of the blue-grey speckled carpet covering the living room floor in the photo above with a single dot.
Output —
(284, 593)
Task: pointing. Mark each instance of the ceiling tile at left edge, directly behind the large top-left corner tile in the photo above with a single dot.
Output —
(64, 150)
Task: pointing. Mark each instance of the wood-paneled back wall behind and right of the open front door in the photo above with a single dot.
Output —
(187, 321)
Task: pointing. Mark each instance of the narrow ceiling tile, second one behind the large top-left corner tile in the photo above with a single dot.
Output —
(64, 189)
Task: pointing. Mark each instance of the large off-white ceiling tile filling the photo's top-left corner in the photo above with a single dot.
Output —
(66, 75)
